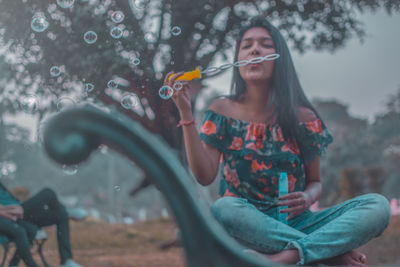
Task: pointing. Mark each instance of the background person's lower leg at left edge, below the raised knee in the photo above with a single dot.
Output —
(22, 239)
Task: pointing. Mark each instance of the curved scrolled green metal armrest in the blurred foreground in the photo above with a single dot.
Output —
(72, 135)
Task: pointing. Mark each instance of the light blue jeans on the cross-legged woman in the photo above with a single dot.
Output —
(316, 235)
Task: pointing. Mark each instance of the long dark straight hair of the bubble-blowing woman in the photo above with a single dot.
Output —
(286, 94)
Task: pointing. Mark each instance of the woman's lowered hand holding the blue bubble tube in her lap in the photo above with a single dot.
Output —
(297, 203)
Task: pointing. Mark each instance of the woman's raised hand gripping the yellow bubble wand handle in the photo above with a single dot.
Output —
(181, 98)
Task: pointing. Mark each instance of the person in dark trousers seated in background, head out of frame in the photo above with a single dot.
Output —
(19, 222)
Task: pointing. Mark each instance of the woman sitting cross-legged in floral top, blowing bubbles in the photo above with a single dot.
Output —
(266, 127)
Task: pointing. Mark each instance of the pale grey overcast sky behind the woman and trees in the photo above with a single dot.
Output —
(360, 75)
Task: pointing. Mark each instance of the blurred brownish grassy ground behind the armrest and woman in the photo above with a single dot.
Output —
(99, 244)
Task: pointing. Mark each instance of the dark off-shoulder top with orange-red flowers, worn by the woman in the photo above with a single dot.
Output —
(254, 153)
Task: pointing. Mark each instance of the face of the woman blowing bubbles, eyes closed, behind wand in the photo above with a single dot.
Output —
(256, 42)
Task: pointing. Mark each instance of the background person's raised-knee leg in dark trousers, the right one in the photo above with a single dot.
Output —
(44, 209)
